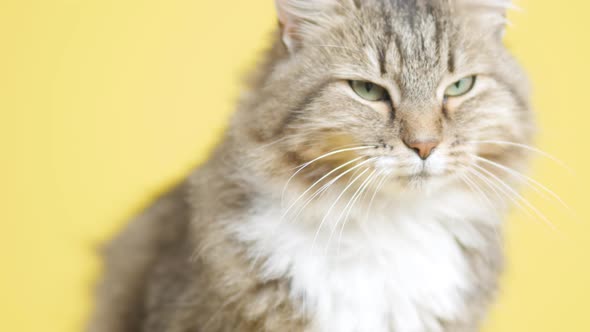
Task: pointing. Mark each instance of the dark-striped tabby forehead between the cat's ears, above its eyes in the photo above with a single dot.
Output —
(408, 41)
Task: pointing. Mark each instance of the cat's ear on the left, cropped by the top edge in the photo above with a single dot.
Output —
(299, 18)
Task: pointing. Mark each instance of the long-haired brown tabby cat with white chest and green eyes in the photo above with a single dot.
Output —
(359, 187)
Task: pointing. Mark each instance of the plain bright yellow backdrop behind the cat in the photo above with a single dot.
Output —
(105, 103)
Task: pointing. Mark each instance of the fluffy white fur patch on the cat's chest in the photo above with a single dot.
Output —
(403, 271)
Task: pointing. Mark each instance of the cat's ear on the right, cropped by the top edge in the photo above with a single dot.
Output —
(487, 14)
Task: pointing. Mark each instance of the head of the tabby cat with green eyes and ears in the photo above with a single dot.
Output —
(415, 90)
